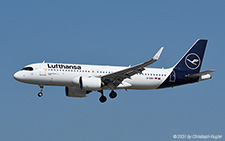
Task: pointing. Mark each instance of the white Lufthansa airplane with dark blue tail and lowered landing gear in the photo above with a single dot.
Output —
(79, 80)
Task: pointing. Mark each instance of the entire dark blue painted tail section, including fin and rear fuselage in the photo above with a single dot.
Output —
(188, 65)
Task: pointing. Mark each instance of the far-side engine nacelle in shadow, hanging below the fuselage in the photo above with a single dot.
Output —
(75, 92)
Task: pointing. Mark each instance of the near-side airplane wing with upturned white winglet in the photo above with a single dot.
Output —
(114, 79)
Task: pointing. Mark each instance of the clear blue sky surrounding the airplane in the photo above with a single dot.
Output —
(110, 33)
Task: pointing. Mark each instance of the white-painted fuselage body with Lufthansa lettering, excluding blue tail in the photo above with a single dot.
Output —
(58, 74)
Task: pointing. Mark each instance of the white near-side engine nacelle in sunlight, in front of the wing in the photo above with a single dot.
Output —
(88, 83)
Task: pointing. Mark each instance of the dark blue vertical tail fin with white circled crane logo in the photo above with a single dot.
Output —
(191, 62)
